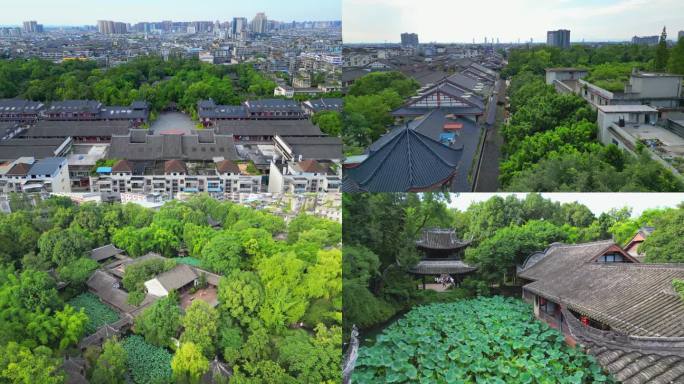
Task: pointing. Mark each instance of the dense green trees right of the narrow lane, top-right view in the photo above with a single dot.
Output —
(551, 145)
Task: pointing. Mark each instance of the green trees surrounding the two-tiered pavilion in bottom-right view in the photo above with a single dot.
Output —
(379, 245)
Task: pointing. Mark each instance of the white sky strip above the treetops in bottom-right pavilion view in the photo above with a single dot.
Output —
(596, 202)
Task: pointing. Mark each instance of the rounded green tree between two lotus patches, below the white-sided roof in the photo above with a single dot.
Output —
(160, 322)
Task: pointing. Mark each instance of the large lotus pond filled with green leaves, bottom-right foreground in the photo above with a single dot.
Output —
(485, 340)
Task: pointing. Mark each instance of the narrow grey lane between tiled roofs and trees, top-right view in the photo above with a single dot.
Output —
(491, 155)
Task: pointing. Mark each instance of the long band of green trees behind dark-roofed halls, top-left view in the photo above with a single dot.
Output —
(152, 79)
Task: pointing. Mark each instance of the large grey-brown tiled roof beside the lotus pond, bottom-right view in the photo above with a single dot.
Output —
(632, 298)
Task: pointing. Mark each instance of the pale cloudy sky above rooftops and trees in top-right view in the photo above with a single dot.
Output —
(509, 20)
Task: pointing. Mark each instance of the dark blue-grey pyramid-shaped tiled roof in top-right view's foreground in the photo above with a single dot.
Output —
(407, 161)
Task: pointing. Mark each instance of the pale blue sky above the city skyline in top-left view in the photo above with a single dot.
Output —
(81, 12)
